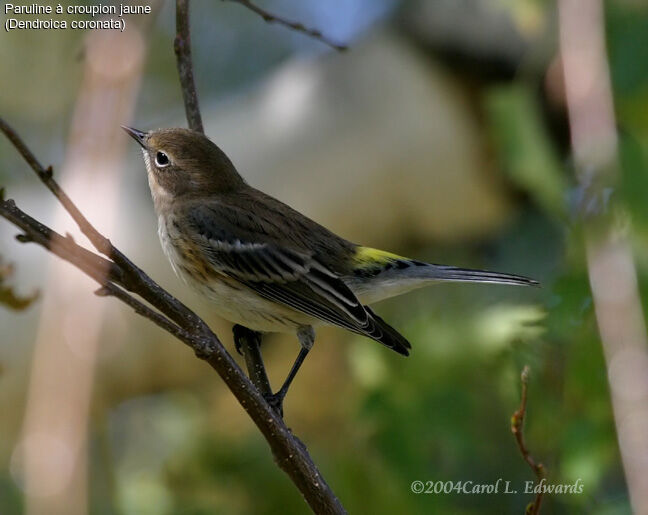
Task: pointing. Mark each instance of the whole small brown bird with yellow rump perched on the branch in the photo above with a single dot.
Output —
(266, 266)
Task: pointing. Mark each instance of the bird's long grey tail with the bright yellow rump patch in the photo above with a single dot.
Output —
(379, 275)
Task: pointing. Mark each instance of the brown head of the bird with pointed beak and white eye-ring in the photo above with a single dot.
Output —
(184, 162)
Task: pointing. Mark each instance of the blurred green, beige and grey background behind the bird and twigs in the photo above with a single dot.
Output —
(442, 134)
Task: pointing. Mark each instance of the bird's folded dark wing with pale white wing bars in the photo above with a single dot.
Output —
(282, 274)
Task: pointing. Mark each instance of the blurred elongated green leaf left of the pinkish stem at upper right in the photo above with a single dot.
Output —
(523, 146)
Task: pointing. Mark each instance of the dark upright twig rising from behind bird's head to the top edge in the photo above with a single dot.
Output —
(182, 49)
